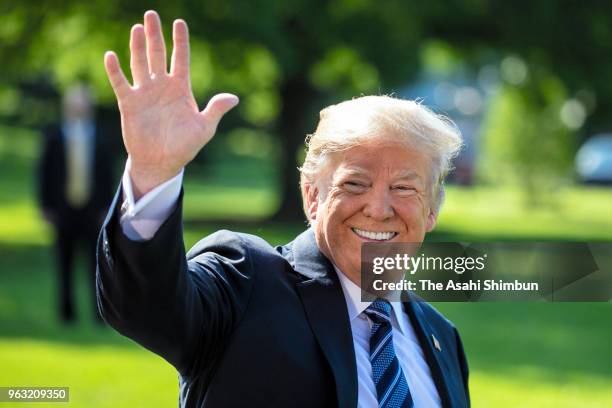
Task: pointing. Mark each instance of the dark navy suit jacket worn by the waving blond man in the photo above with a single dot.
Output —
(249, 325)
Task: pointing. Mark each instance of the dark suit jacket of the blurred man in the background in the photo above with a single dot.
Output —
(52, 176)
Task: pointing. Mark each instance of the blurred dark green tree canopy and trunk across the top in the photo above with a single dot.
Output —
(287, 59)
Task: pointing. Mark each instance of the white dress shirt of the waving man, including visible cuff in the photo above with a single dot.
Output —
(141, 220)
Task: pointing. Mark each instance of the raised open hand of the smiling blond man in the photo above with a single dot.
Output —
(162, 127)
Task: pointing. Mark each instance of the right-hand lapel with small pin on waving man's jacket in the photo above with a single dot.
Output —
(433, 355)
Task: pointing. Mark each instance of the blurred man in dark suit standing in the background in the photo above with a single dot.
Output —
(75, 189)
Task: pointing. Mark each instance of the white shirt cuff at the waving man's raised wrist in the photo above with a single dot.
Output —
(140, 220)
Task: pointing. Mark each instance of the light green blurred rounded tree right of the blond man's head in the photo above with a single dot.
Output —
(526, 141)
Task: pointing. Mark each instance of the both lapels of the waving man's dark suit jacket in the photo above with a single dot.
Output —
(325, 306)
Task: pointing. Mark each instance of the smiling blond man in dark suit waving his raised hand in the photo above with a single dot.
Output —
(246, 324)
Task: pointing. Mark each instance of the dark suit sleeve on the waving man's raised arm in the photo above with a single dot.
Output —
(182, 309)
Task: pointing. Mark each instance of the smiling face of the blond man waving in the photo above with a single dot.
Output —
(375, 192)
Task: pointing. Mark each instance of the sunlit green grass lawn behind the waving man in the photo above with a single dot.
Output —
(520, 354)
